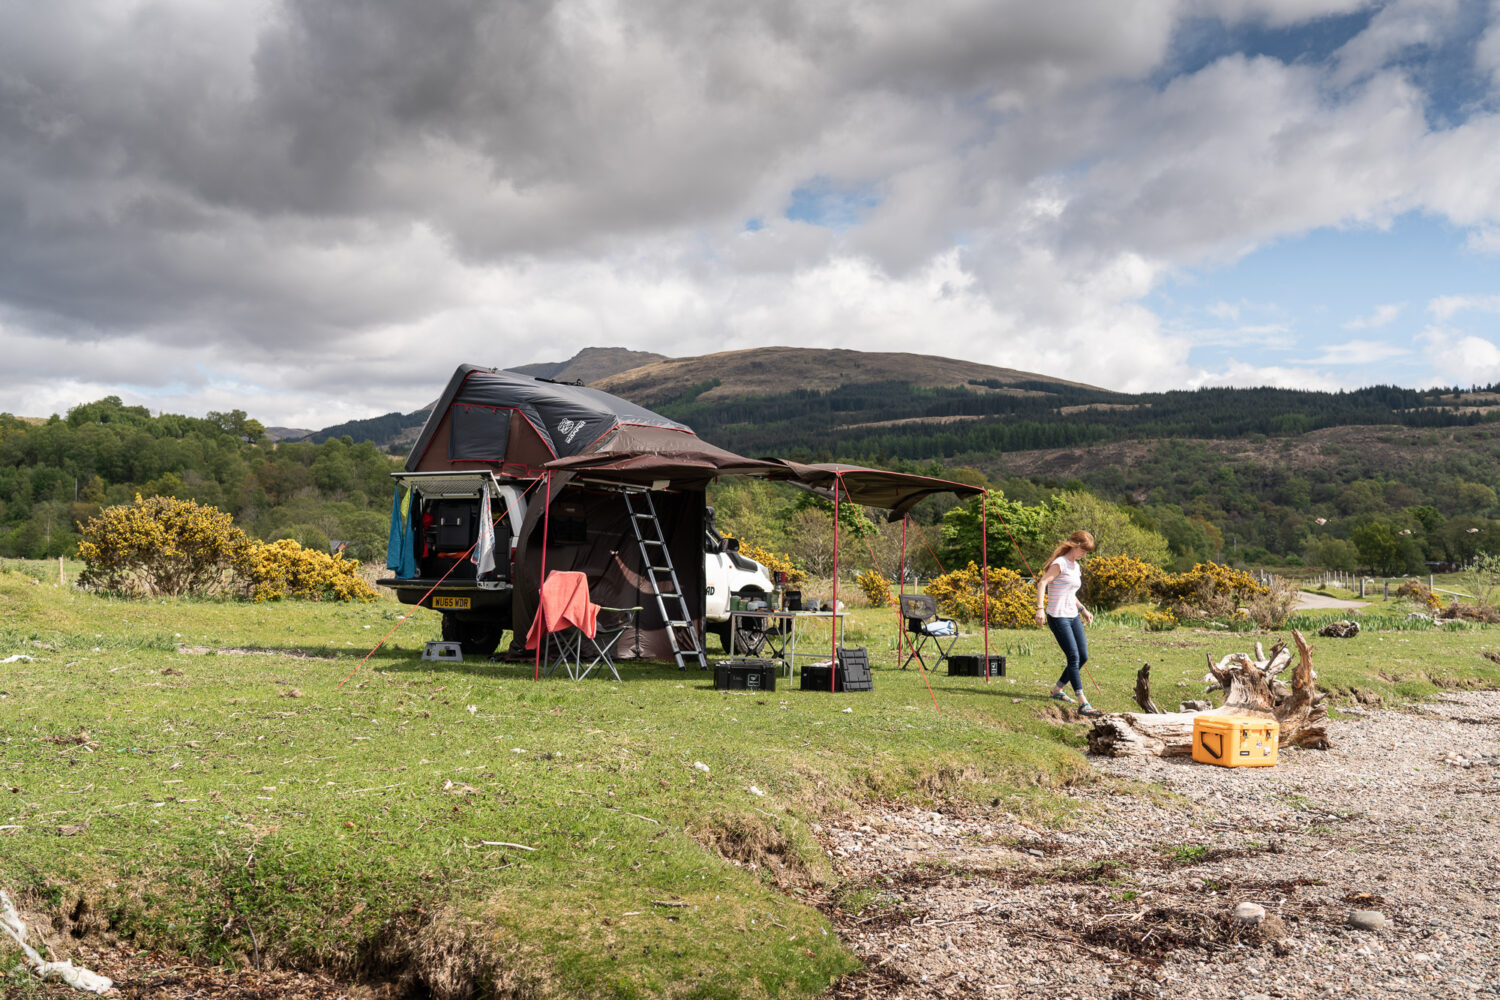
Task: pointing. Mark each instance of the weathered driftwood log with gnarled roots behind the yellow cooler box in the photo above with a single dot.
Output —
(1253, 687)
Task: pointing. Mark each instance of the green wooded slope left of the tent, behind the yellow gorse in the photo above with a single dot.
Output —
(58, 475)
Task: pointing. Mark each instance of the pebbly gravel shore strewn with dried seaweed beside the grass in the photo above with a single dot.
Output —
(1396, 827)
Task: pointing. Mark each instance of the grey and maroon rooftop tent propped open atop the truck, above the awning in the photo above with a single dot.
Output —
(493, 418)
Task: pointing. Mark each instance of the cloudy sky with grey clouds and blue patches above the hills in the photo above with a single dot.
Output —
(313, 211)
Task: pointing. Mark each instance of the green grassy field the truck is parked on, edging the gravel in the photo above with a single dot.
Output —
(188, 777)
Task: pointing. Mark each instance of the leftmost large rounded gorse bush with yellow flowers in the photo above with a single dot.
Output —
(161, 545)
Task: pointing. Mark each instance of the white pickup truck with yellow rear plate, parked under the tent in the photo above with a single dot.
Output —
(476, 612)
